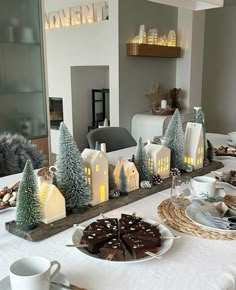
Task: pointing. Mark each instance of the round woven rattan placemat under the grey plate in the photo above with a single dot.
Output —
(176, 219)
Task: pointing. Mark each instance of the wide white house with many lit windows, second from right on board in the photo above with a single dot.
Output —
(158, 159)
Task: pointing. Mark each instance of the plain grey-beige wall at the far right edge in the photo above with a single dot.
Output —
(219, 86)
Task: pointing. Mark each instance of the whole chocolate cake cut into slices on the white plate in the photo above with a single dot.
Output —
(103, 237)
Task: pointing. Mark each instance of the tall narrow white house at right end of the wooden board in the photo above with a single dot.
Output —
(194, 145)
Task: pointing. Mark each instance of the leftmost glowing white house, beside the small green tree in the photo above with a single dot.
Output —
(52, 202)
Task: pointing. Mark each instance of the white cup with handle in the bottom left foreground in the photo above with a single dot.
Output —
(32, 273)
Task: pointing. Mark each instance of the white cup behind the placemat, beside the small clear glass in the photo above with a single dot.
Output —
(203, 185)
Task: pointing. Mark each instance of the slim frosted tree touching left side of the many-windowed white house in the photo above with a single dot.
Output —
(141, 162)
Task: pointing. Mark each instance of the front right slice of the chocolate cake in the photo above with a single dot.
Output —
(137, 246)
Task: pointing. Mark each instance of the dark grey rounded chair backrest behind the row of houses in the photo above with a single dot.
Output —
(116, 138)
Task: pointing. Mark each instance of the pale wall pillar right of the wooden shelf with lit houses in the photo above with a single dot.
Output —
(189, 67)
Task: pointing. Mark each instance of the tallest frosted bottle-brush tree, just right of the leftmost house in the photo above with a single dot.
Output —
(70, 171)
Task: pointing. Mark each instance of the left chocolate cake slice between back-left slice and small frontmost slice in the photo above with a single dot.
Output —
(95, 240)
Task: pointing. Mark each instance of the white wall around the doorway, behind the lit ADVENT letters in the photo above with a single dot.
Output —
(83, 45)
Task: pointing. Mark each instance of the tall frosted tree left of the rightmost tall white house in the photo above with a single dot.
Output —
(174, 139)
